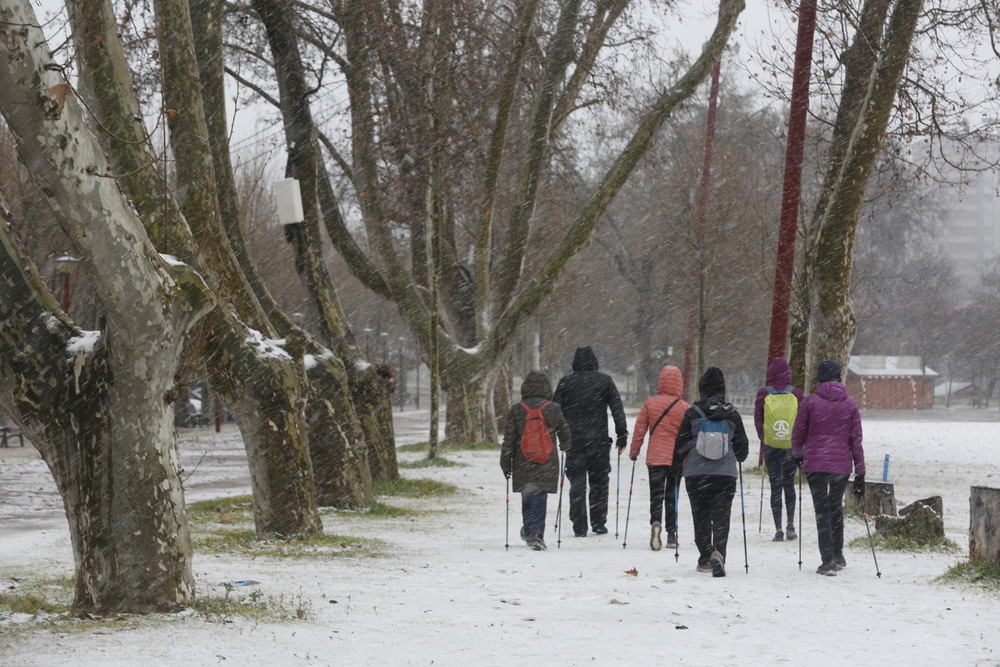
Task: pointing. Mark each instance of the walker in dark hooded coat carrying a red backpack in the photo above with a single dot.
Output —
(533, 474)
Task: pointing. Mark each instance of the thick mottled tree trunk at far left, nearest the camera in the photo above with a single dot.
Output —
(99, 418)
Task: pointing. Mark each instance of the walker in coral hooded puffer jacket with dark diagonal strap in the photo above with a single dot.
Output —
(661, 416)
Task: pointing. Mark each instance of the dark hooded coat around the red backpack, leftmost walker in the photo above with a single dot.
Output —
(529, 476)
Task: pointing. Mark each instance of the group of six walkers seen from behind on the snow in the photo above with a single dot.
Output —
(703, 444)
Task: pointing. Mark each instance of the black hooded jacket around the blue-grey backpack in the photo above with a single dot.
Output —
(712, 402)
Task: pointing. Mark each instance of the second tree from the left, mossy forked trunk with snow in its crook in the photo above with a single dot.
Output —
(262, 390)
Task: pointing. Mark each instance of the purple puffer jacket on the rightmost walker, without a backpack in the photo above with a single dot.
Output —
(827, 432)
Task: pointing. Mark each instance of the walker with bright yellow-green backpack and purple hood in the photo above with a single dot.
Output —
(774, 417)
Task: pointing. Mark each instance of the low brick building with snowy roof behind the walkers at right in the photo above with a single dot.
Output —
(890, 383)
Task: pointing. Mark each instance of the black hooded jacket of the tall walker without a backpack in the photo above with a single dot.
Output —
(585, 396)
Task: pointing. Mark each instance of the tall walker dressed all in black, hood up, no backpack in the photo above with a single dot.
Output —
(585, 395)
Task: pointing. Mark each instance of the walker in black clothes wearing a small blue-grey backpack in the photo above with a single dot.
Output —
(711, 480)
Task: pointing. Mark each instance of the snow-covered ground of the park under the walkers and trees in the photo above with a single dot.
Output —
(449, 594)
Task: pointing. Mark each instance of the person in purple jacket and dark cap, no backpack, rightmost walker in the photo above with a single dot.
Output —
(826, 441)
